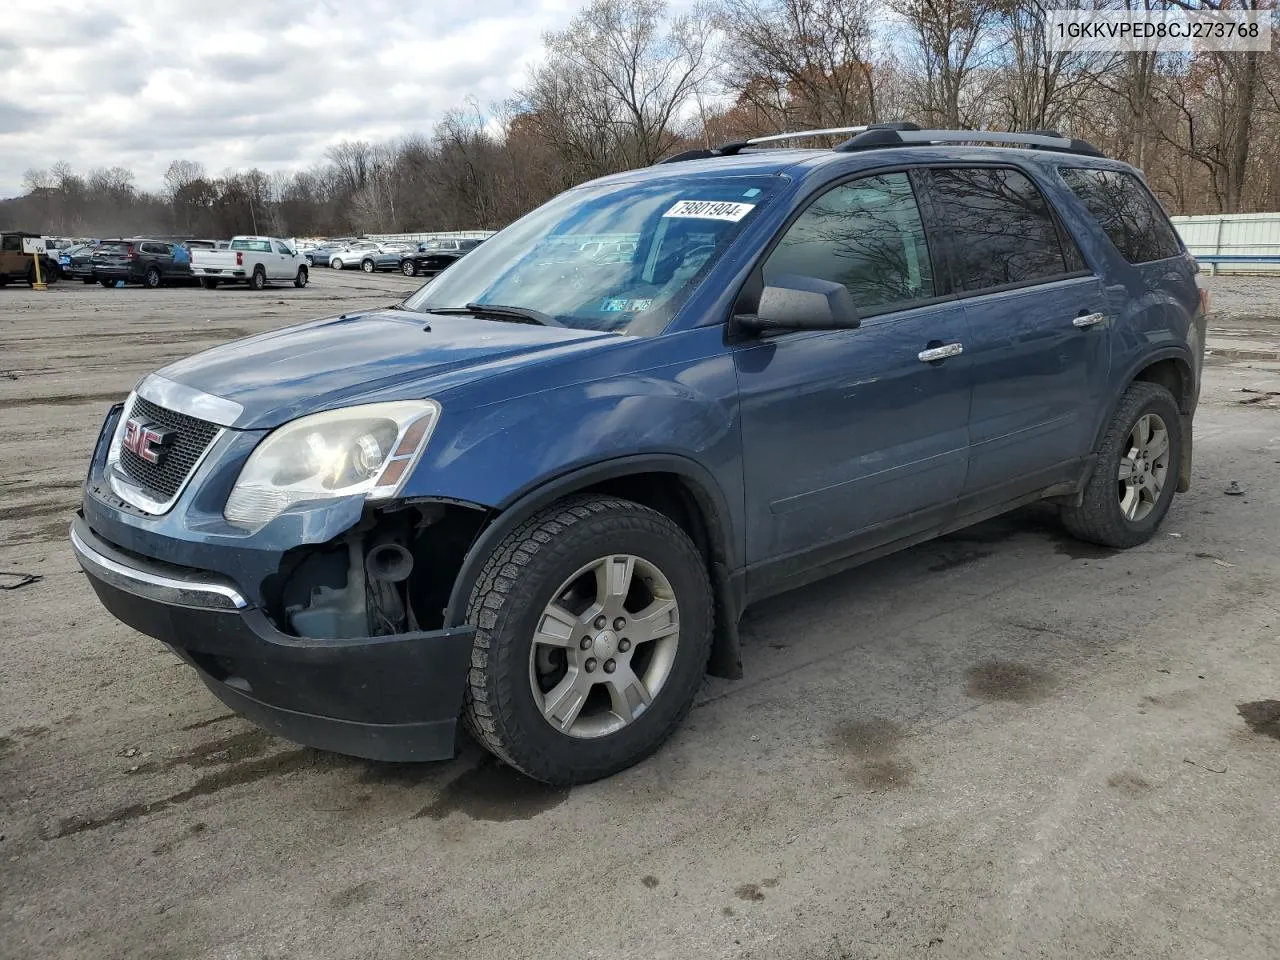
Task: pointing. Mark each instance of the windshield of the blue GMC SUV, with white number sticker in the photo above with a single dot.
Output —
(620, 258)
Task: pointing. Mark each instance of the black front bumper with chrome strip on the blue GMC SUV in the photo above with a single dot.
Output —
(386, 698)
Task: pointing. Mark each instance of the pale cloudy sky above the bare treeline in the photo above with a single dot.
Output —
(236, 85)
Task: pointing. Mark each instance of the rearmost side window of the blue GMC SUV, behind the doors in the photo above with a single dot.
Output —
(1128, 214)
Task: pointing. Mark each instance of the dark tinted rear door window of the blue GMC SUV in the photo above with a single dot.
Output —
(1003, 231)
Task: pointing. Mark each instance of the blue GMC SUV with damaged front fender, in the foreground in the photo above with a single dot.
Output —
(538, 495)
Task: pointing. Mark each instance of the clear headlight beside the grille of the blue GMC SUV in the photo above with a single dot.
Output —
(364, 450)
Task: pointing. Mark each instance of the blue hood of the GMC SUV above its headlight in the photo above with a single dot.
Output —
(382, 355)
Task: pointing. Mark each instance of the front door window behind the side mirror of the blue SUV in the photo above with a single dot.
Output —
(866, 235)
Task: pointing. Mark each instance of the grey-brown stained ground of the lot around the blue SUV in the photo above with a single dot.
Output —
(998, 746)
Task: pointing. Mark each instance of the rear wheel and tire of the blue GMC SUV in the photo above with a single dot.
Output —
(1124, 513)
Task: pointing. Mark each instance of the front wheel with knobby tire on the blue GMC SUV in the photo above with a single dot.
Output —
(510, 602)
